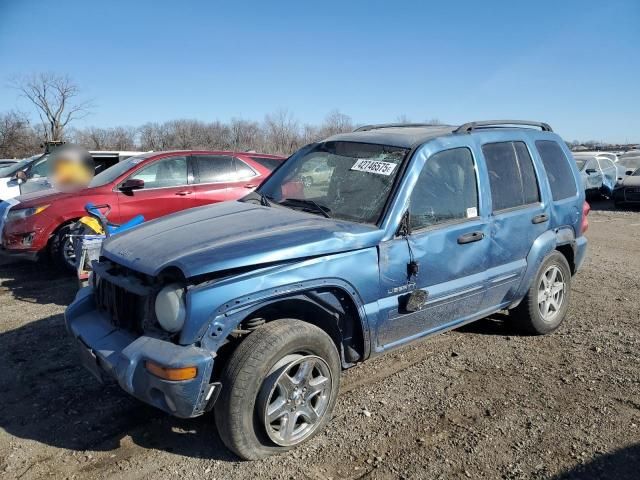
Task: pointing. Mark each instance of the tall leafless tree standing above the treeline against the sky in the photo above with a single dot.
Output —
(56, 100)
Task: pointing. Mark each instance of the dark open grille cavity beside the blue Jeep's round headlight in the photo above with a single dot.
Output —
(126, 310)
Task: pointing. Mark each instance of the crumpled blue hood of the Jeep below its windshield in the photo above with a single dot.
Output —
(234, 235)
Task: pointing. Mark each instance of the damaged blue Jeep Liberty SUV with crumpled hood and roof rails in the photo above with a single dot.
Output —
(354, 246)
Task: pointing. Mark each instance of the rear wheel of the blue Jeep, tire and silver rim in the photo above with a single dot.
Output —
(529, 314)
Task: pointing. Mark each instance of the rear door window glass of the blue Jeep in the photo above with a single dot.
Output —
(511, 175)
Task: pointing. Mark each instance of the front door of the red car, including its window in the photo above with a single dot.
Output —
(166, 190)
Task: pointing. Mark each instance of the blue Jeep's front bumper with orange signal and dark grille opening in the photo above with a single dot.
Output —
(116, 329)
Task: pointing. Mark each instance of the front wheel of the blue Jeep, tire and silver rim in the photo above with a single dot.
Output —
(252, 384)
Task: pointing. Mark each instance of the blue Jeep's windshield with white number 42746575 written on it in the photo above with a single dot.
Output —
(345, 180)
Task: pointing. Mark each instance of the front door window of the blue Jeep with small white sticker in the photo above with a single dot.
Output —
(446, 189)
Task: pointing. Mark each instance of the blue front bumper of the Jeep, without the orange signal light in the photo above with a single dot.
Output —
(107, 351)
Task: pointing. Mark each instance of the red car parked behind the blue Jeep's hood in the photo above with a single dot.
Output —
(151, 184)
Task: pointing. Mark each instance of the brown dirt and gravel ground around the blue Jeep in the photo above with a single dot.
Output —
(480, 402)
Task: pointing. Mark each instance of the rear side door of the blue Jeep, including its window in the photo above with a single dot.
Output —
(518, 216)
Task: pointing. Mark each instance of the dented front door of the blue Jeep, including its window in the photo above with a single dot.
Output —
(449, 244)
